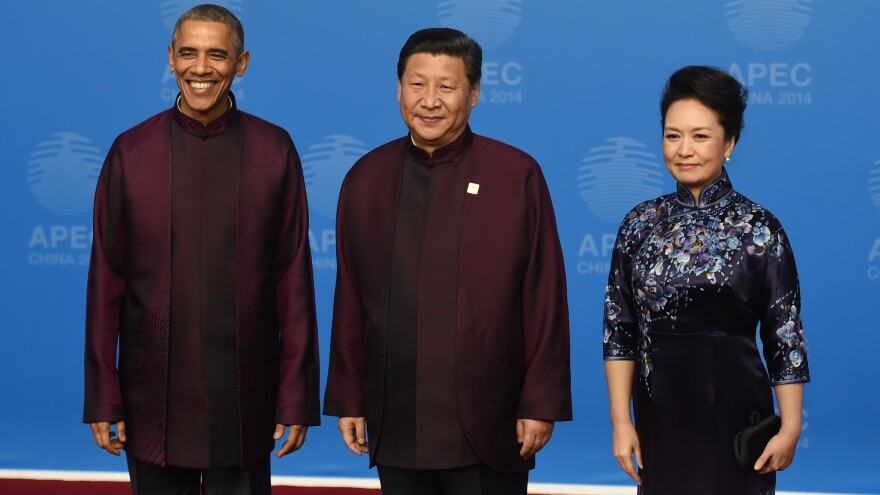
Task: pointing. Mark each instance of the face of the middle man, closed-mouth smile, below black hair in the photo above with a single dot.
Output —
(436, 99)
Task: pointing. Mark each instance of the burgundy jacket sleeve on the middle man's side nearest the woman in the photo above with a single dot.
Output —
(546, 392)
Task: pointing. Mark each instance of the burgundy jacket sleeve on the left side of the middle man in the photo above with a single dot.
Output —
(345, 381)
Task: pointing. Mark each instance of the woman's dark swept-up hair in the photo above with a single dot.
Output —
(712, 87)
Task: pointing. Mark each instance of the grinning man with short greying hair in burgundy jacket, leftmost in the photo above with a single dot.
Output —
(201, 273)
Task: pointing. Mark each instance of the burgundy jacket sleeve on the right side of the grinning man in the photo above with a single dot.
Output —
(298, 396)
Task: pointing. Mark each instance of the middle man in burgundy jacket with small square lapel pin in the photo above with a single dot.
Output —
(450, 325)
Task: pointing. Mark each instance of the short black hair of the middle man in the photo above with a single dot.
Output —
(444, 41)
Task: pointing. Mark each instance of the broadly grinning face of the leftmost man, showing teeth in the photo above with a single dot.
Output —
(204, 60)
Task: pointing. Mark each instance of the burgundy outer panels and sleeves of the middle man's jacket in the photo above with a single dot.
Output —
(512, 340)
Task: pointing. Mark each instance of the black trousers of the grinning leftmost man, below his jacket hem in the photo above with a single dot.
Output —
(149, 479)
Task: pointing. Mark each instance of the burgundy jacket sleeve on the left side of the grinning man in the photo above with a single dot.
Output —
(104, 297)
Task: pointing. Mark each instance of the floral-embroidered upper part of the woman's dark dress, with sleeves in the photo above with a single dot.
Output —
(708, 264)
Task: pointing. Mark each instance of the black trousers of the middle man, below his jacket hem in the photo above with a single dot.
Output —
(478, 479)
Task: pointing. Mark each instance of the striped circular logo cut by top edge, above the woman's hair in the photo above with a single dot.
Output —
(768, 25)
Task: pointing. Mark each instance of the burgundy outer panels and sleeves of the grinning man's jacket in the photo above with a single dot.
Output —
(129, 290)
